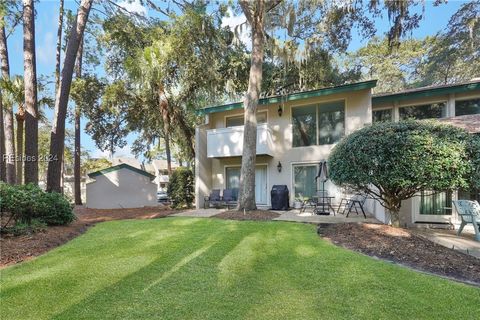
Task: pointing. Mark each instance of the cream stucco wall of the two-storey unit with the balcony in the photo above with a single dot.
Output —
(211, 173)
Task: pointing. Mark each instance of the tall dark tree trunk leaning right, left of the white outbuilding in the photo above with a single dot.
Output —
(57, 141)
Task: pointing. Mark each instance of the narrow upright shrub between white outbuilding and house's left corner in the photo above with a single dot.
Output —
(180, 188)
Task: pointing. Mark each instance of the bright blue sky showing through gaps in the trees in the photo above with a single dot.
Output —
(435, 20)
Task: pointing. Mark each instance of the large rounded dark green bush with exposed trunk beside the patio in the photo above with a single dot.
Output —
(392, 161)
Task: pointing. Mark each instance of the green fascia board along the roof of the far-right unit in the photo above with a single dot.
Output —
(427, 92)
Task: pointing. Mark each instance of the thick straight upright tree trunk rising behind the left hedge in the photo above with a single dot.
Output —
(31, 107)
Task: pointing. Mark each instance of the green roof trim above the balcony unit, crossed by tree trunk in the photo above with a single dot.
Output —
(294, 96)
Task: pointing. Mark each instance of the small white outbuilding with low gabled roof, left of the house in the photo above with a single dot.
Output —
(121, 186)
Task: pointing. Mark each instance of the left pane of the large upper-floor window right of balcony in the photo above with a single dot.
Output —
(304, 126)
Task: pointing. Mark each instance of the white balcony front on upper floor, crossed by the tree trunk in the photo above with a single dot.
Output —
(228, 142)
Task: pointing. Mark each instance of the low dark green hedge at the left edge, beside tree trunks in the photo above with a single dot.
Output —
(28, 202)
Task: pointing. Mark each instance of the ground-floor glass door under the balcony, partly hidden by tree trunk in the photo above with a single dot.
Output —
(233, 181)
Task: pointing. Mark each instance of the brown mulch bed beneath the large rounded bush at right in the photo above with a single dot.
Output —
(403, 247)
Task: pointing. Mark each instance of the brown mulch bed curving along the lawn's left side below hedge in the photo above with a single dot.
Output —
(15, 249)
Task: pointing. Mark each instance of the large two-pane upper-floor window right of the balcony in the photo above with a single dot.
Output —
(318, 124)
